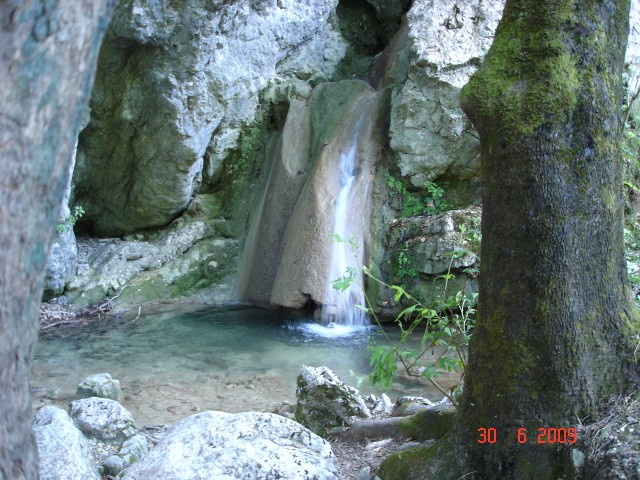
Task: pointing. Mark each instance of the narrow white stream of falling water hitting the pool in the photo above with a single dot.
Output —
(341, 307)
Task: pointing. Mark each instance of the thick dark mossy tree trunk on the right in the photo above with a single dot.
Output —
(555, 316)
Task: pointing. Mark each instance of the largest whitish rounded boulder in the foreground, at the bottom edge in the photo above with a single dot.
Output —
(244, 446)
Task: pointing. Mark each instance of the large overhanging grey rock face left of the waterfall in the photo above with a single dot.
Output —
(176, 79)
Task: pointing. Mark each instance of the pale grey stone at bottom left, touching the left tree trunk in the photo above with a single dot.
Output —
(63, 451)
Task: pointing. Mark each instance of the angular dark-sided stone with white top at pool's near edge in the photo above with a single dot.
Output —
(325, 404)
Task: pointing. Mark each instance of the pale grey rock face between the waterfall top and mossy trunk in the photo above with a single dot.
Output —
(428, 130)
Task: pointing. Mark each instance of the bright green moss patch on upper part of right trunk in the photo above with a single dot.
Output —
(526, 76)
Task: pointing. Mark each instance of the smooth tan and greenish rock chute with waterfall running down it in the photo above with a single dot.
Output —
(319, 186)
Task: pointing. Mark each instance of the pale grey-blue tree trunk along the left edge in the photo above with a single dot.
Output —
(48, 52)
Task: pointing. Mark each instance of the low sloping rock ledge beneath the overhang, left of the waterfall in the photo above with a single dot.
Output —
(194, 255)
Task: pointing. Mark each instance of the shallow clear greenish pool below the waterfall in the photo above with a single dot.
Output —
(175, 361)
